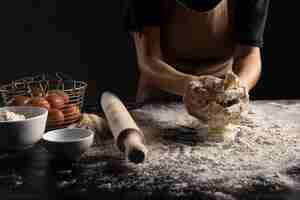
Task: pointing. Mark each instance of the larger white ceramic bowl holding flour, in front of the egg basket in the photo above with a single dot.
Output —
(18, 135)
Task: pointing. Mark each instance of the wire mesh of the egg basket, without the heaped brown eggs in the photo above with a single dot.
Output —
(47, 82)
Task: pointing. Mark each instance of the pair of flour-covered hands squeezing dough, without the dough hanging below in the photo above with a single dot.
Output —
(203, 91)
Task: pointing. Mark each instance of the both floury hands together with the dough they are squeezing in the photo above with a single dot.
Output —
(216, 101)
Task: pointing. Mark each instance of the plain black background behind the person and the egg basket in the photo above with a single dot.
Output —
(86, 40)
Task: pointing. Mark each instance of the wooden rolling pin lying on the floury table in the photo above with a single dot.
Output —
(128, 137)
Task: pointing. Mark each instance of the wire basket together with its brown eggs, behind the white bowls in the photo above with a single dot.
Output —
(63, 98)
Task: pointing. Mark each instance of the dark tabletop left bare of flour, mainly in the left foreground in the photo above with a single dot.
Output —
(35, 174)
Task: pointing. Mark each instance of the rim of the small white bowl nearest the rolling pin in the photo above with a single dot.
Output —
(90, 136)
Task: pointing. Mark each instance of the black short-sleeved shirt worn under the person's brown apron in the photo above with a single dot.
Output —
(249, 18)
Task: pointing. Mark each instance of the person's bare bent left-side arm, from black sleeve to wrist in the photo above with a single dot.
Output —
(153, 69)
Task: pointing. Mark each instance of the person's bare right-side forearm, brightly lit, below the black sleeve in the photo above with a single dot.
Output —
(247, 64)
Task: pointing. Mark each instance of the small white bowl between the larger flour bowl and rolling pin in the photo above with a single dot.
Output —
(68, 143)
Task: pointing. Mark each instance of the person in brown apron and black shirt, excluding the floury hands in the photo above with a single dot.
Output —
(178, 41)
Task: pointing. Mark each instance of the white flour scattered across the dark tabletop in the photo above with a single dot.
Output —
(264, 155)
